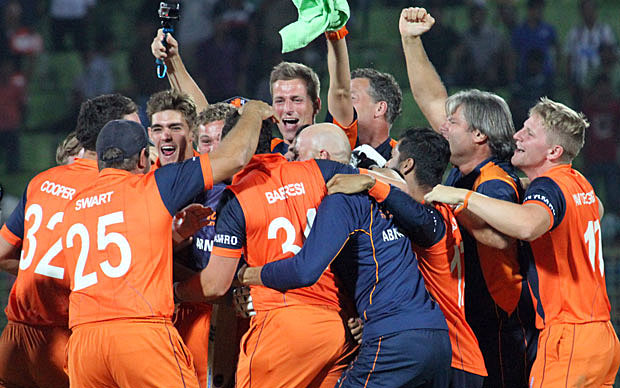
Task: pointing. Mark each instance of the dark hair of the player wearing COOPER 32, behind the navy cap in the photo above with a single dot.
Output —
(96, 112)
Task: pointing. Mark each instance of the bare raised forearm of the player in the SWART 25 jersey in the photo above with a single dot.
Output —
(239, 145)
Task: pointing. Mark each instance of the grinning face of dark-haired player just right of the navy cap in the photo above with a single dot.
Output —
(171, 135)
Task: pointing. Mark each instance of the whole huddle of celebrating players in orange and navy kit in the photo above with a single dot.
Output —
(369, 273)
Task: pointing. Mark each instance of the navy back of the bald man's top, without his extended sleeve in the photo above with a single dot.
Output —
(390, 293)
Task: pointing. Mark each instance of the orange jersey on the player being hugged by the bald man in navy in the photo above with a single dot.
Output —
(278, 201)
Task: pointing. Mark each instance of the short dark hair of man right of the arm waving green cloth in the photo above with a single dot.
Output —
(383, 87)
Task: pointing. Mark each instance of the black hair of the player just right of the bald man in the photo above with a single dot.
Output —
(429, 150)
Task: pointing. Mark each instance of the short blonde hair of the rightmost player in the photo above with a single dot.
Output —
(564, 126)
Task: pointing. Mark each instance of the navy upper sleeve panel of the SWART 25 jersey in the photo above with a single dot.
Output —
(179, 183)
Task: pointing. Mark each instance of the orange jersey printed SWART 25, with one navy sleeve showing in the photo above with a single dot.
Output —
(118, 245)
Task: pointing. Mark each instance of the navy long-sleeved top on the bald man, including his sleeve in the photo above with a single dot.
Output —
(389, 289)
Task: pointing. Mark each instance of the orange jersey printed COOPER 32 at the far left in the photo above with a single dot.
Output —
(40, 294)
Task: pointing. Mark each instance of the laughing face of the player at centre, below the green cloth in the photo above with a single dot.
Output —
(293, 105)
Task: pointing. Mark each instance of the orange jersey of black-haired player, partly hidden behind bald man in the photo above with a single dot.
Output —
(442, 266)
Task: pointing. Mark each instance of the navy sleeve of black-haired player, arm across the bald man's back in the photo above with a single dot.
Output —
(423, 224)
